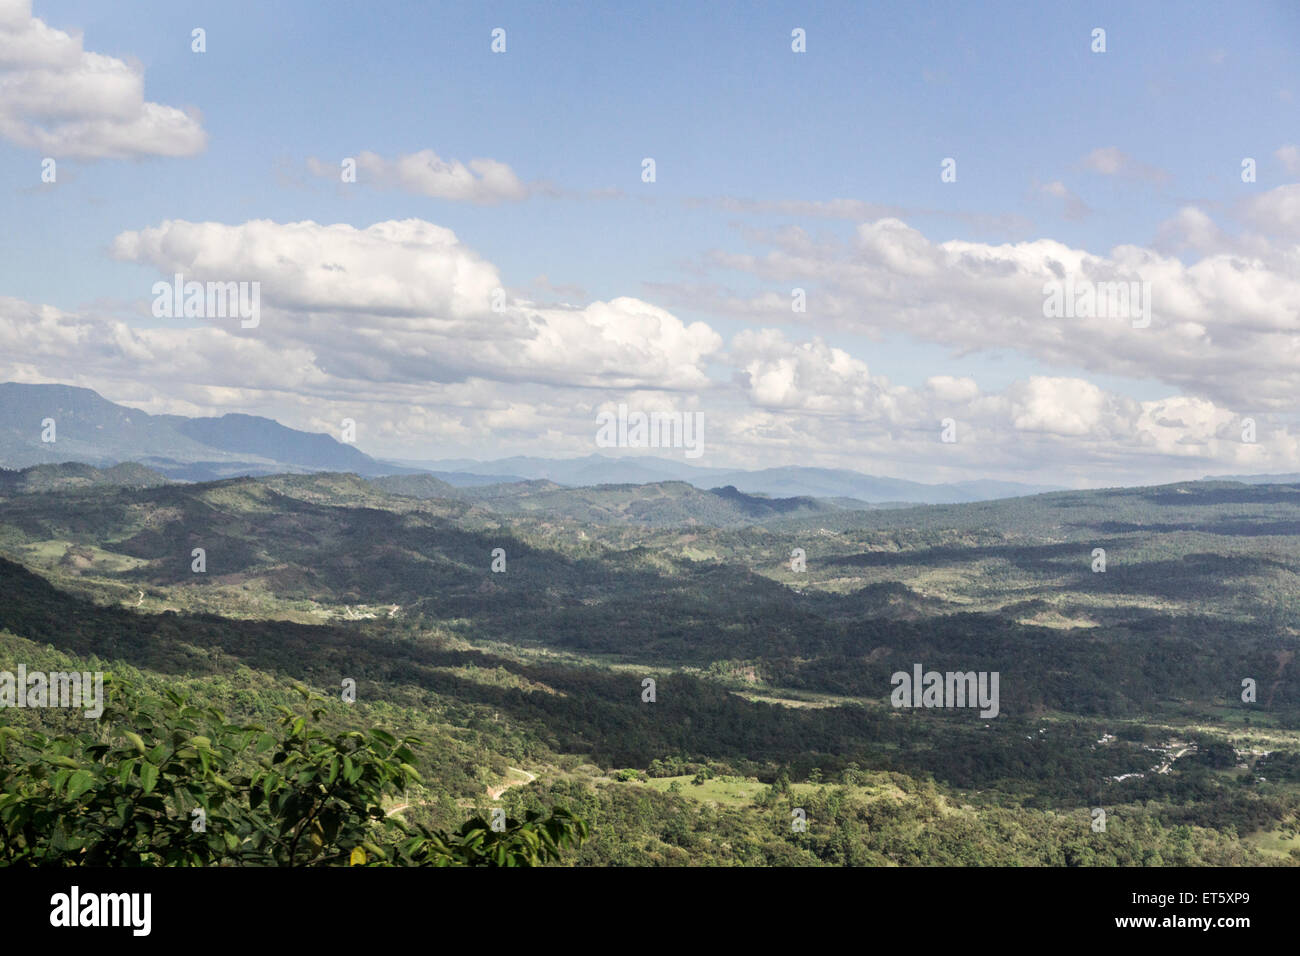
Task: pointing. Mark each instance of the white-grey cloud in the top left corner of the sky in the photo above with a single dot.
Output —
(64, 101)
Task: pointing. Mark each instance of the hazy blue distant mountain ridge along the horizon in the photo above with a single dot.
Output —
(98, 432)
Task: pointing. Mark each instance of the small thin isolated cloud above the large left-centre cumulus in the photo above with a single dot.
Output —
(426, 174)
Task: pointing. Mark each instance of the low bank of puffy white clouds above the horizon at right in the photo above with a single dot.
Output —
(826, 406)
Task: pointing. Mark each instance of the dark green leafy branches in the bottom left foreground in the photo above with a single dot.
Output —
(158, 782)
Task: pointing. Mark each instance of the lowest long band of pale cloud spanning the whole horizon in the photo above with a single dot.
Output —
(790, 403)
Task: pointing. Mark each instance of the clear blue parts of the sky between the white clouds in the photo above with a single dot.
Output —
(731, 116)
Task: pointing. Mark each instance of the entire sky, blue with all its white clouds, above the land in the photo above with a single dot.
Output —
(504, 269)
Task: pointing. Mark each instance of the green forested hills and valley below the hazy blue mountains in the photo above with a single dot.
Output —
(510, 637)
